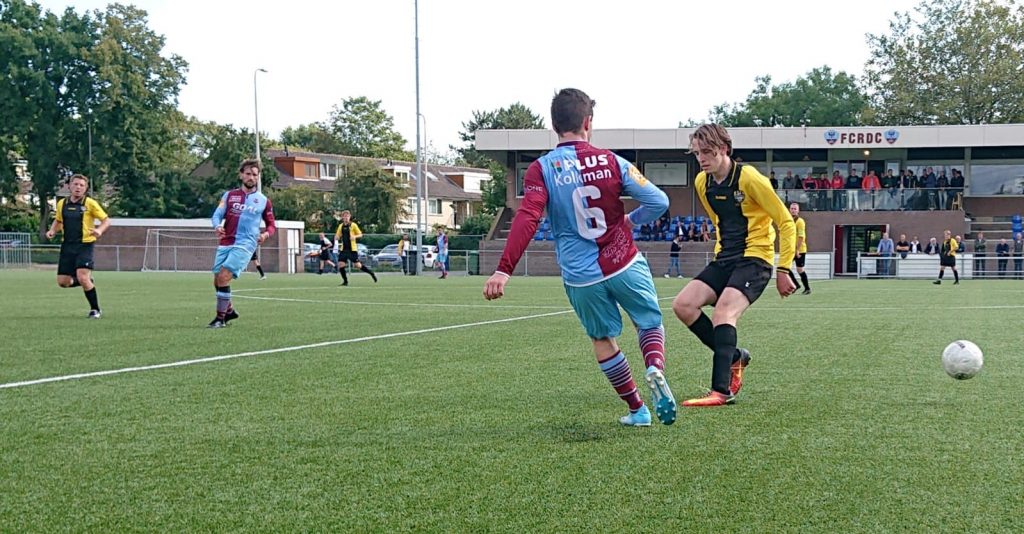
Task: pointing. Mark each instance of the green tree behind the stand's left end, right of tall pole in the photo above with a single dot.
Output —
(516, 116)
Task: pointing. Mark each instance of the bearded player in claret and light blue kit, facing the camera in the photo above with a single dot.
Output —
(237, 222)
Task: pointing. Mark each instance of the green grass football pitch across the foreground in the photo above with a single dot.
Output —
(413, 404)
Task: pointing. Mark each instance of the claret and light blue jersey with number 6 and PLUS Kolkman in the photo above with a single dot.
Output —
(581, 186)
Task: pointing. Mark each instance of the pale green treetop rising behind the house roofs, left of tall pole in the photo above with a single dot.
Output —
(366, 130)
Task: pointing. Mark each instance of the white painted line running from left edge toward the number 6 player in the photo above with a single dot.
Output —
(269, 352)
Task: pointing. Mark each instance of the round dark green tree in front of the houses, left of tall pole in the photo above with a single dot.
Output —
(375, 198)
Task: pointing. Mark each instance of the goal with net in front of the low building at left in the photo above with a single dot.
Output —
(180, 250)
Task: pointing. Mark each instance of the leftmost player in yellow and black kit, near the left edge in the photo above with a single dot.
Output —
(77, 216)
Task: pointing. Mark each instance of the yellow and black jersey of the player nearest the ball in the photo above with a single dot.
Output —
(743, 208)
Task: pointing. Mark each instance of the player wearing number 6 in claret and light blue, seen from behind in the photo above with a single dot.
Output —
(605, 270)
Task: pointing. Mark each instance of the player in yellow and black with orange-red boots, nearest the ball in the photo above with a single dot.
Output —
(743, 207)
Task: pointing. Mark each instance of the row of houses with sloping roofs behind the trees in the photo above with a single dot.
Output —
(453, 193)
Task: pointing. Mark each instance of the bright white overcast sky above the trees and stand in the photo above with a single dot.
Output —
(650, 64)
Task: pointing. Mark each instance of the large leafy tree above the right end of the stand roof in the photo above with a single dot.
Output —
(959, 63)
